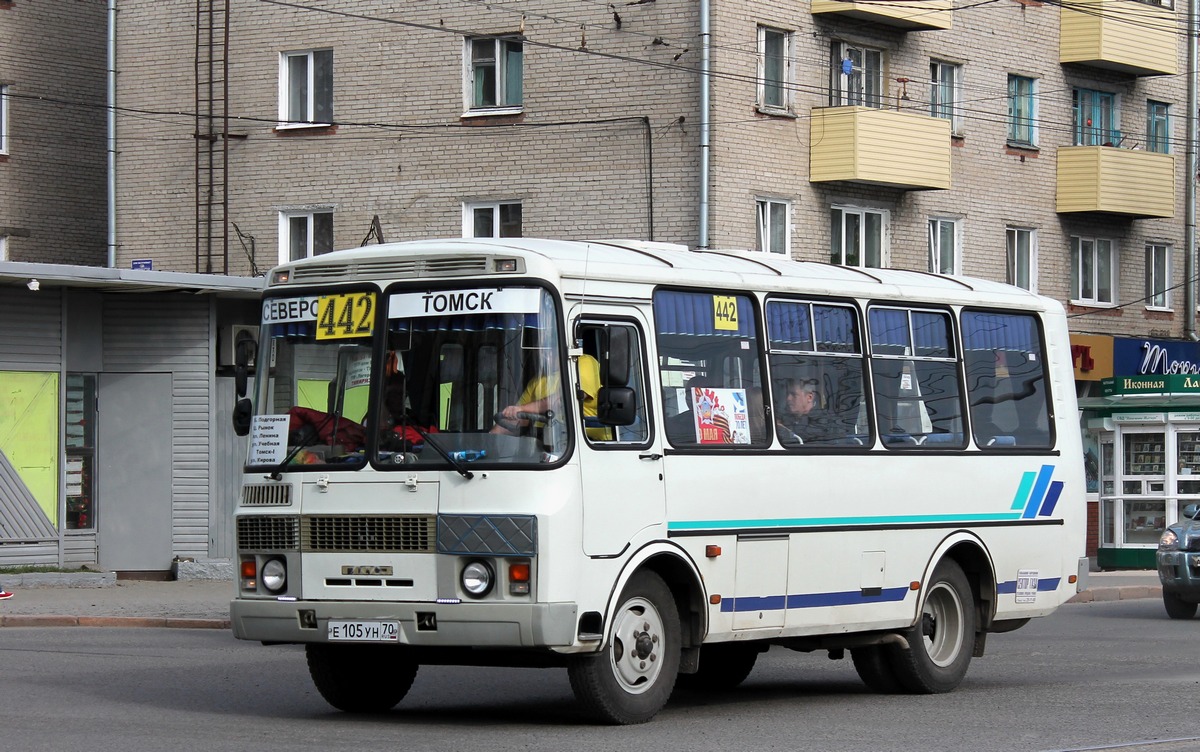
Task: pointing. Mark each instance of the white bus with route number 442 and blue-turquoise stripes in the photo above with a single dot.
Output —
(649, 466)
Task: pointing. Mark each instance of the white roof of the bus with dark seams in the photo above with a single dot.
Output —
(658, 263)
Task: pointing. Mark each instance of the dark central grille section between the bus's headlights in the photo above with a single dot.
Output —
(412, 534)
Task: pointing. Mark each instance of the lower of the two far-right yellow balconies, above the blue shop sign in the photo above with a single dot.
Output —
(1123, 182)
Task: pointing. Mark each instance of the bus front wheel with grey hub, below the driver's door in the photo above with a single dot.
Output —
(633, 677)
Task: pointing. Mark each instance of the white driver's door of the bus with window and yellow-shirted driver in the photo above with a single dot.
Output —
(621, 465)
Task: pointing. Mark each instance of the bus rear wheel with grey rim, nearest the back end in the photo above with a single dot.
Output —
(941, 642)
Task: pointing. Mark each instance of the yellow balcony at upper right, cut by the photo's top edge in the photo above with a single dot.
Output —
(1120, 35)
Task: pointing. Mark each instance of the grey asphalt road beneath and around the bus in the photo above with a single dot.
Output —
(1095, 676)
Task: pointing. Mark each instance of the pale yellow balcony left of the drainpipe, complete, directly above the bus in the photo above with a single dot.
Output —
(880, 148)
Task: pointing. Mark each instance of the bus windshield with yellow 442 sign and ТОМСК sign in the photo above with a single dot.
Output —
(463, 377)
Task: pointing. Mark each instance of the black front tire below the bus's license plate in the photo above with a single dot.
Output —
(361, 678)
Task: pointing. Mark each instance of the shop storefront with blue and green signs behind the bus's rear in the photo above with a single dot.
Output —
(1142, 432)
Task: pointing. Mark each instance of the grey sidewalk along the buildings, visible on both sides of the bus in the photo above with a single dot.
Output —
(103, 600)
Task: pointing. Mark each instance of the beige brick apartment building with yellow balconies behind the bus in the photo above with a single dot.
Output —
(1028, 142)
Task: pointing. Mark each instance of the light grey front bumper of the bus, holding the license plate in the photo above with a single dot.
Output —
(448, 625)
